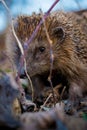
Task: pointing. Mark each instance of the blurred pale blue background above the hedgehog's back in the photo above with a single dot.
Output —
(19, 7)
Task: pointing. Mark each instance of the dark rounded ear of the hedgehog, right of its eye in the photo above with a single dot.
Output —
(59, 33)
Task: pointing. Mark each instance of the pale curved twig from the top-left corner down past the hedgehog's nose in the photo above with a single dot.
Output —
(23, 61)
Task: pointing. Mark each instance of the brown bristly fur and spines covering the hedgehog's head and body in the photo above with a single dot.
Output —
(70, 55)
